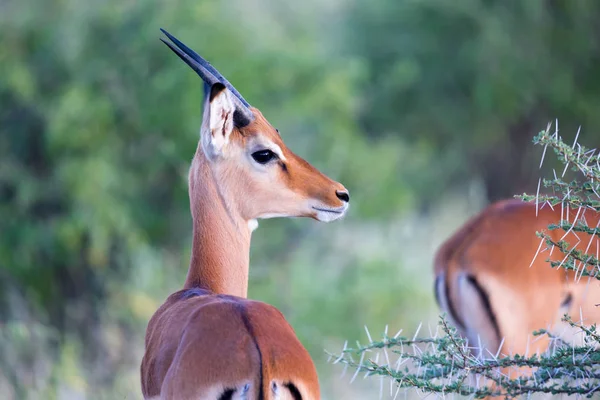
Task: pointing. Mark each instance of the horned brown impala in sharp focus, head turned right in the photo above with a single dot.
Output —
(207, 341)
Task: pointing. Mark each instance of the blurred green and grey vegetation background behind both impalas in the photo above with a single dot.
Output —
(424, 109)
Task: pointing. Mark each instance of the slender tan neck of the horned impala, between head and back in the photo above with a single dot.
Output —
(221, 242)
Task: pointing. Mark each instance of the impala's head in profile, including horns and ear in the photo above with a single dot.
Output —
(254, 170)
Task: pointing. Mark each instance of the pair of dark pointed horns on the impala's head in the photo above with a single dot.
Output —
(243, 115)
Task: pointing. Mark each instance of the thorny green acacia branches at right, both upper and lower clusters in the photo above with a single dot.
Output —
(448, 364)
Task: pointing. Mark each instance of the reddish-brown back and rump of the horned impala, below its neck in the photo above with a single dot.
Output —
(195, 340)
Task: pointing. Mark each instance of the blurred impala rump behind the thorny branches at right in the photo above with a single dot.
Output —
(496, 285)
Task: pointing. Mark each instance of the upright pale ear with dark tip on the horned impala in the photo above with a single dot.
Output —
(220, 121)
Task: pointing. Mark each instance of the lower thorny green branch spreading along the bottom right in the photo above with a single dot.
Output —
(447, 365)
